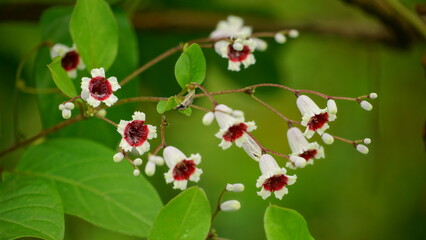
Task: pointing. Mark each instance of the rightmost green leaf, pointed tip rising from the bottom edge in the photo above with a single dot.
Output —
(283, 223)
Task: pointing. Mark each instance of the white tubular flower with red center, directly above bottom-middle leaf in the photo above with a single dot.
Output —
(182, 168)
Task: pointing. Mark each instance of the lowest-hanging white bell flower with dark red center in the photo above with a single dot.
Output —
(273, 178)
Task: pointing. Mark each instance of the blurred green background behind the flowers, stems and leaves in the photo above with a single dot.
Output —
(347, 195)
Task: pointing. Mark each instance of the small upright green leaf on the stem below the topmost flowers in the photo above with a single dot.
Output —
(191, 66)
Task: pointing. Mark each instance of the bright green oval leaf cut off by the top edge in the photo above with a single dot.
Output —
(94, 30)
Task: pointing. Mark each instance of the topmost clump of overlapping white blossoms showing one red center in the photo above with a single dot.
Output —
(239, 47)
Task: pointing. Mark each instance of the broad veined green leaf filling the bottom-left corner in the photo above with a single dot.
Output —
(30, 208)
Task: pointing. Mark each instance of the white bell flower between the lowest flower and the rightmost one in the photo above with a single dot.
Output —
(301, 148)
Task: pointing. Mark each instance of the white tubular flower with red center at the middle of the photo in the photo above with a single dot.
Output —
(233, 128)
